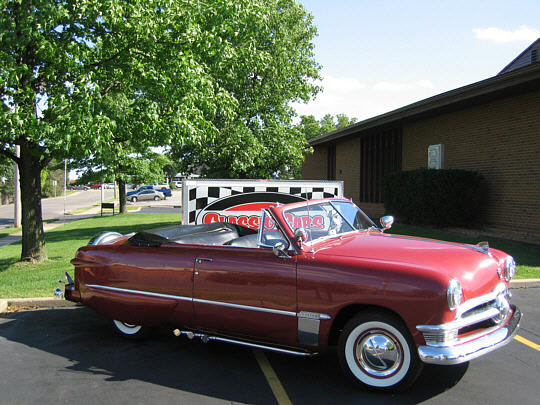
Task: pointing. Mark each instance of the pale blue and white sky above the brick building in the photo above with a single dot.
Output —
(381, 55)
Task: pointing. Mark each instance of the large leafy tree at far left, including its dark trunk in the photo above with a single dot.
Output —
(60, 58)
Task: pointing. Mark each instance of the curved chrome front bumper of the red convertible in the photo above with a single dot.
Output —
(474, 348)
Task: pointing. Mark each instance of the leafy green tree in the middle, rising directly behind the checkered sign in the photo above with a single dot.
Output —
(265, 60)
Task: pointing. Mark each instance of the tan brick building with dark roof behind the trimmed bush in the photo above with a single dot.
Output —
(492, 126)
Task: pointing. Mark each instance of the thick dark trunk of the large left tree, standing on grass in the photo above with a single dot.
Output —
(33, 237)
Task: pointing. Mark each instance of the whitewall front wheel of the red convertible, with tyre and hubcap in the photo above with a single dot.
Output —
(376, 350)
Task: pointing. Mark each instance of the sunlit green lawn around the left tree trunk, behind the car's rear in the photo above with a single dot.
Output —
(21, 280)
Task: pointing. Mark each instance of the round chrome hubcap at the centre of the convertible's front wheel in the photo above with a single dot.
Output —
(378, 353)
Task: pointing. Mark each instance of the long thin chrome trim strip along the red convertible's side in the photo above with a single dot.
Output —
(201, 301)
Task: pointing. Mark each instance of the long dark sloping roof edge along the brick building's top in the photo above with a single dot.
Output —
(513, 82)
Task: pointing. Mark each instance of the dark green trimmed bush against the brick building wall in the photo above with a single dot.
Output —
(435, 197)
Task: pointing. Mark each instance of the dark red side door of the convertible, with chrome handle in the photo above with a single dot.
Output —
(246, 292)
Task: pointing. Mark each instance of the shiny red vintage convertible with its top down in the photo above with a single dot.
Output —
(316, 273)
